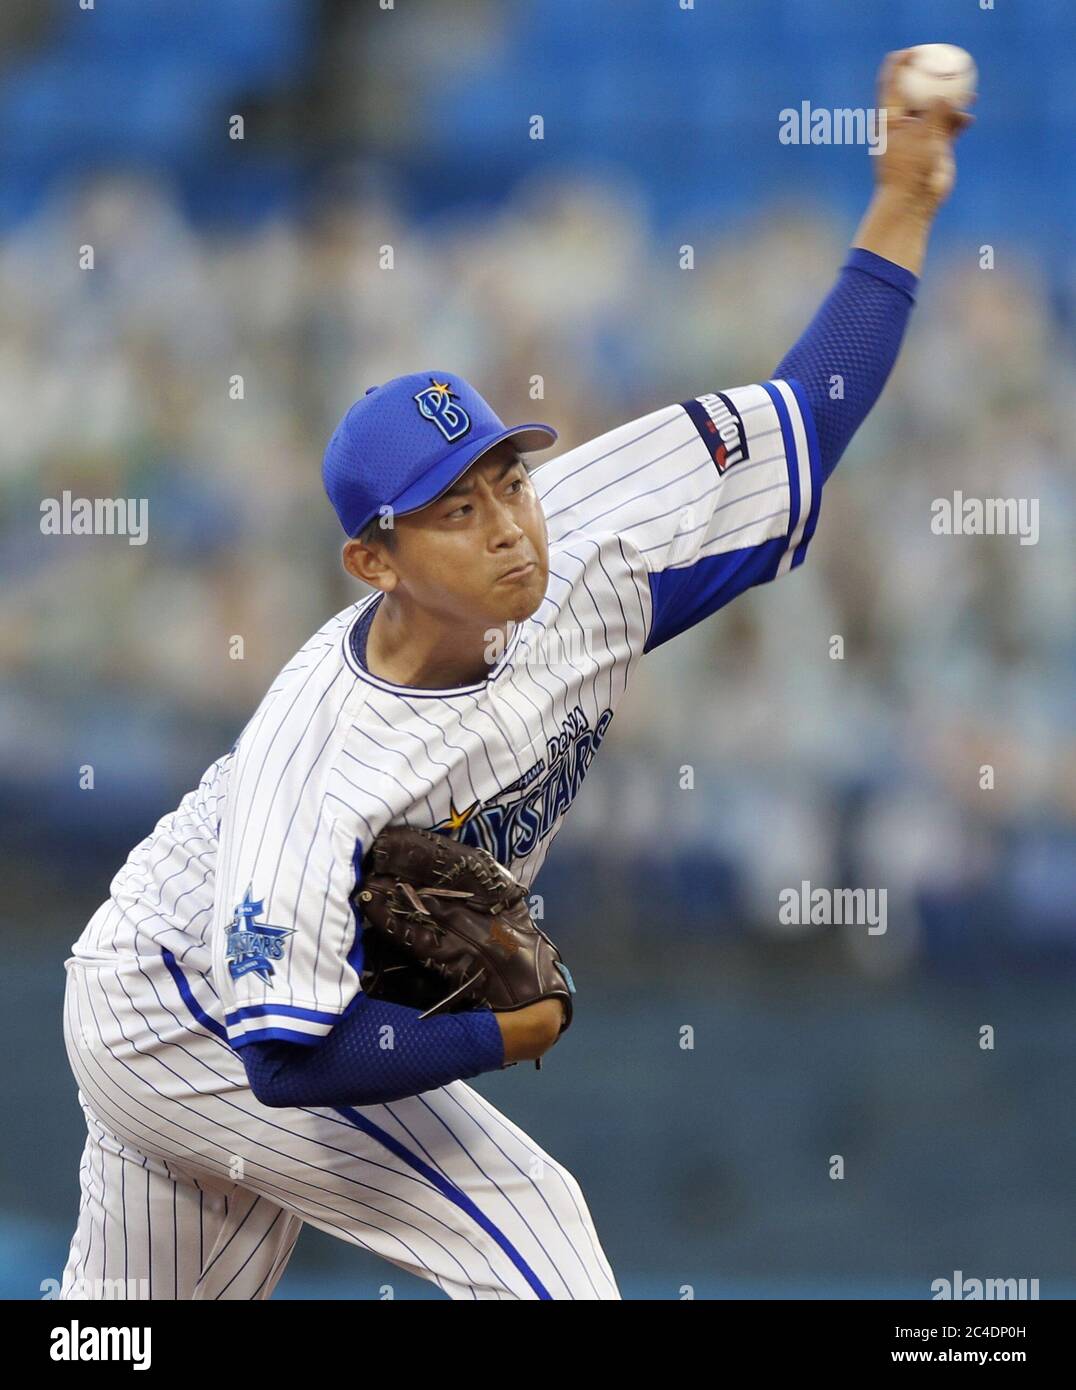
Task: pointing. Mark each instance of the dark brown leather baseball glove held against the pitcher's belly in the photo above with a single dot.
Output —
(448, 929)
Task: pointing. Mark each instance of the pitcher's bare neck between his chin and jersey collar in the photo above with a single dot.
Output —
(409, 647)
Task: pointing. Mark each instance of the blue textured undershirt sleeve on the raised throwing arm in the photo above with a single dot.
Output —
(847, 352)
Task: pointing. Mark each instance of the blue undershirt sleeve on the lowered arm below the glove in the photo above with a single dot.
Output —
(357, 1067)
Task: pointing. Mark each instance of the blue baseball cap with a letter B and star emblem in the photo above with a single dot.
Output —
(407, 443)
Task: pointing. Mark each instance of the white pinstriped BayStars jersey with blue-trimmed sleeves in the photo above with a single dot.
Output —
(653, 526)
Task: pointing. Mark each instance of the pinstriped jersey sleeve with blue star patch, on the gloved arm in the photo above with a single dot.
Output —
(287, 940)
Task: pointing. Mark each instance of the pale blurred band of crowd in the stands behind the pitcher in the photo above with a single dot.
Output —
(205, 372)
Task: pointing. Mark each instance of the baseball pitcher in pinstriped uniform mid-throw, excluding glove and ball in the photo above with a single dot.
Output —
(236, 1079)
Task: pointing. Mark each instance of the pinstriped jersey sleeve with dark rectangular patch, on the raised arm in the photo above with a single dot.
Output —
(717, 494)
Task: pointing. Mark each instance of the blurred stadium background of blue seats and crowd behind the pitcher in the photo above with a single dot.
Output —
(261, 258)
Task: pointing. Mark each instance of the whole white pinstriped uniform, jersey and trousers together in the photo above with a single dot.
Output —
(186, 1178)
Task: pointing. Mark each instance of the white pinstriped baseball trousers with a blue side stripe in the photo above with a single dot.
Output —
(166, 1096)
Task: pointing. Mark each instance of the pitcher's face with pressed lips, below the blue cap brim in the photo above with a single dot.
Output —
(480, 551)
